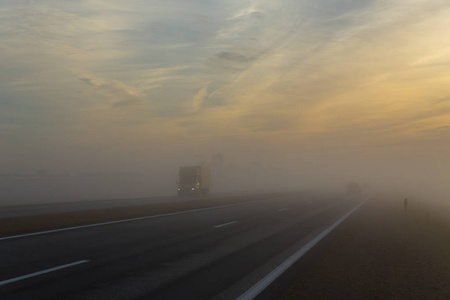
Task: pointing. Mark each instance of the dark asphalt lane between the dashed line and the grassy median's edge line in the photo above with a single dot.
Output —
(117, 238)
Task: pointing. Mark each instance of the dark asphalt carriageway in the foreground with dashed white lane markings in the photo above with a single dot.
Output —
(215, 253)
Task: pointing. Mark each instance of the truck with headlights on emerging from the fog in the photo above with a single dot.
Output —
(193, 180)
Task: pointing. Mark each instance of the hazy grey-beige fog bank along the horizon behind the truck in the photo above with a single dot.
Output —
(424, 179)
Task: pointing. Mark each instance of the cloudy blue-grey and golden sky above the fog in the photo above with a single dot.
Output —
(133, 86)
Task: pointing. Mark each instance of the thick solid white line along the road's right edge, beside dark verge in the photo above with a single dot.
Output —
(256, 289)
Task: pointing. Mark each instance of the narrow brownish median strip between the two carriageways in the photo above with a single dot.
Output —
(32, 225)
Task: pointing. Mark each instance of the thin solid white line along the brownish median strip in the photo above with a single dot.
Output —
(134, 219)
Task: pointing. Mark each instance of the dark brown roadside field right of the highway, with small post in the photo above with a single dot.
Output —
(383, 252)
